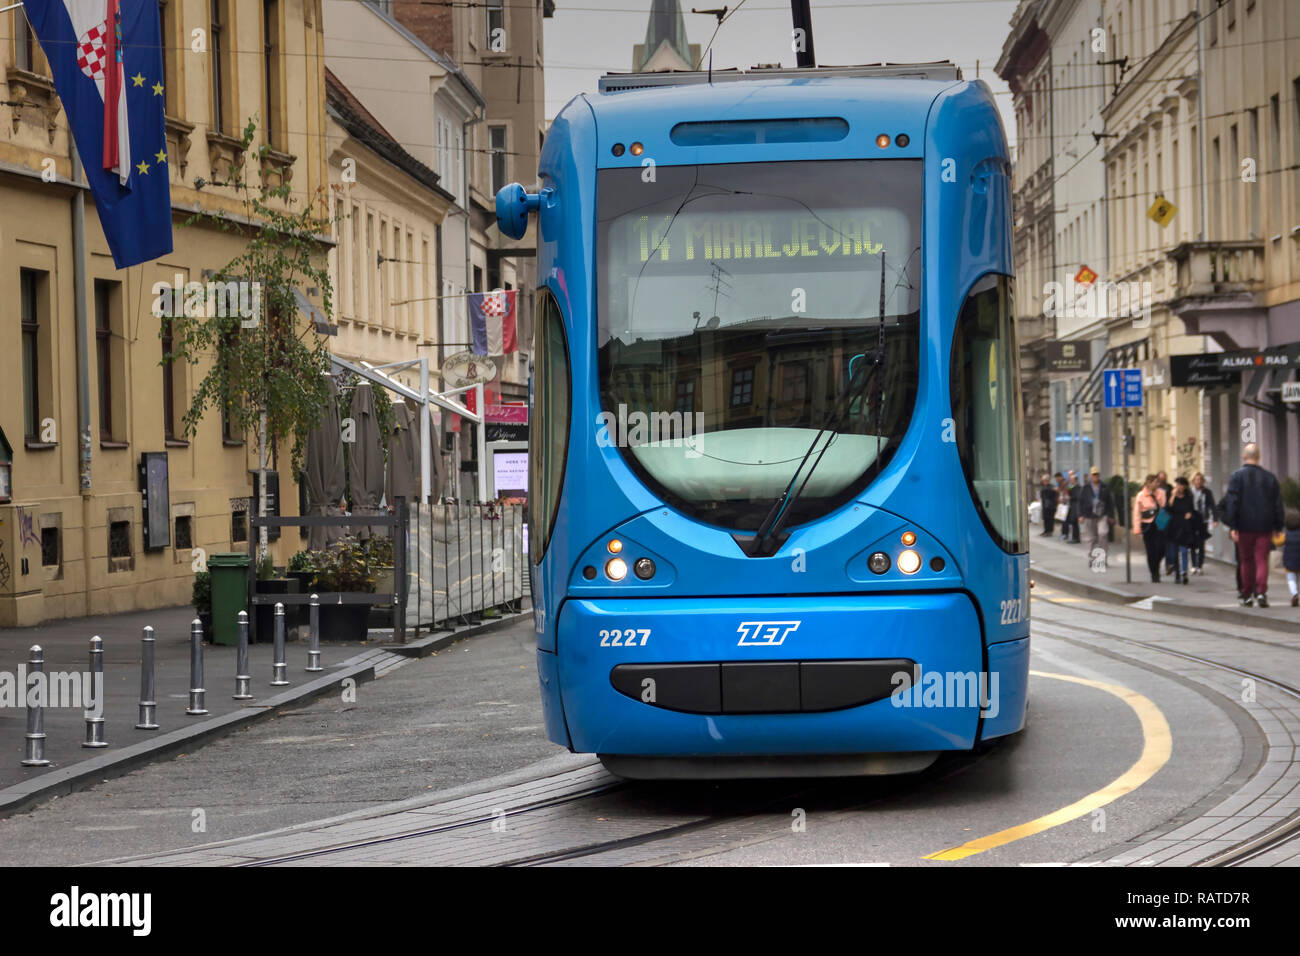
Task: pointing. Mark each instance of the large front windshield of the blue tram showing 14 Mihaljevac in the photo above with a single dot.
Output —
(736, 302)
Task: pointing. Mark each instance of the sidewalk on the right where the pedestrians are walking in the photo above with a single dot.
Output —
(1210, 596)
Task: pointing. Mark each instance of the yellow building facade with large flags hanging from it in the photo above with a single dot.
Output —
(72, 540)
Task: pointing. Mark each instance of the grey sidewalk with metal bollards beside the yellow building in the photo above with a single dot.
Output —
(67, 644)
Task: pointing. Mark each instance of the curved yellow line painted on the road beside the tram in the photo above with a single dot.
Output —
(1156, 750)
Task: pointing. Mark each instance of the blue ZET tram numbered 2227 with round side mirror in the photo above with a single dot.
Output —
(777, 498)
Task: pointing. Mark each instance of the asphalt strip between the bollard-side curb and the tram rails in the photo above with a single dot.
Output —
(466, 713)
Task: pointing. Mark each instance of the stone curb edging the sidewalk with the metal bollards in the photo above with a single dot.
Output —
(86, 773)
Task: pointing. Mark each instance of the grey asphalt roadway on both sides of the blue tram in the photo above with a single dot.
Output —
(473, 712)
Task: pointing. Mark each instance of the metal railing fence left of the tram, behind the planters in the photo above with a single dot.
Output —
(462, 563)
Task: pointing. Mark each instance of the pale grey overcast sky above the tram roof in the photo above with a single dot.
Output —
(587, 38)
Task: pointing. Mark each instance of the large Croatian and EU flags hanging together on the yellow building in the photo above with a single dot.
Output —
(107, 64)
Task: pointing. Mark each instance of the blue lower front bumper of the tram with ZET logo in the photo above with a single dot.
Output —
(803, 676)
